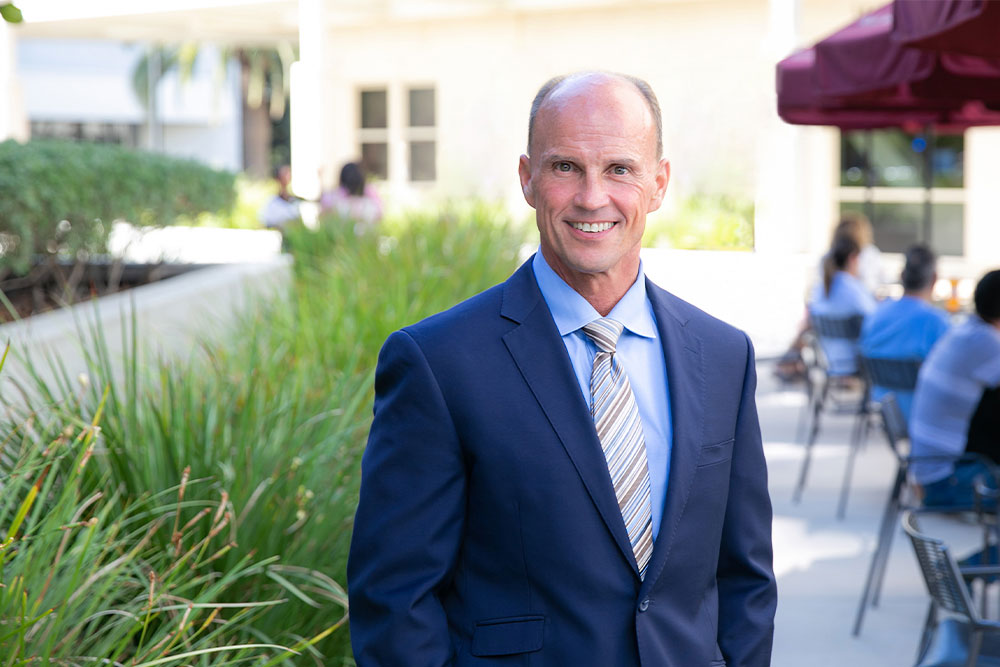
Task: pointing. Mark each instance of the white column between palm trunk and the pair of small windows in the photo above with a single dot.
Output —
(308, 101)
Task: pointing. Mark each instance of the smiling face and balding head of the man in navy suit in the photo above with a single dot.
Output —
(592, 177)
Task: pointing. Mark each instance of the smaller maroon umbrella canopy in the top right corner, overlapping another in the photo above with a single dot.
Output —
(959, 26)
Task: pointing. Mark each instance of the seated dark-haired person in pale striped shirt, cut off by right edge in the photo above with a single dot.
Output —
(952, 383)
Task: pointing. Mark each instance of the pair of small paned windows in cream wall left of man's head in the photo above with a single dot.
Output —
(414, 126)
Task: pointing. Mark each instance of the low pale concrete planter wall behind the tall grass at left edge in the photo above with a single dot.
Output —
(170, 316)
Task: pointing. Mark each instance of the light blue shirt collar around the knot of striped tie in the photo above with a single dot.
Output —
(571, 311)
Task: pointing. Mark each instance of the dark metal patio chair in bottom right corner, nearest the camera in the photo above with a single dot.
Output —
(962, 638)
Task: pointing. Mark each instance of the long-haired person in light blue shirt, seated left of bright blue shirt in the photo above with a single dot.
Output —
(841, 294)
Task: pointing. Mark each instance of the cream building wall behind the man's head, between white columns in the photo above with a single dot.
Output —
(704, 60)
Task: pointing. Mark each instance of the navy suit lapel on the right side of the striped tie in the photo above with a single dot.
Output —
(686, 382)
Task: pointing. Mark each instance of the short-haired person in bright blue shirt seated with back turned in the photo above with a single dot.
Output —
(906, 328)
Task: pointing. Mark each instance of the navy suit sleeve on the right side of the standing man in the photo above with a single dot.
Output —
(747, 589)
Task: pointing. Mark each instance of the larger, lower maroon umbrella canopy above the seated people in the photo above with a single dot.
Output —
(859, 77)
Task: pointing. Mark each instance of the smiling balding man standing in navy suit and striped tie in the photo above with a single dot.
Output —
(520, 504)
